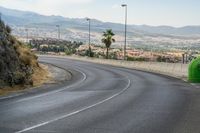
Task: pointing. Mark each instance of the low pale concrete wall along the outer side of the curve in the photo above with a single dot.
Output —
(176, 70)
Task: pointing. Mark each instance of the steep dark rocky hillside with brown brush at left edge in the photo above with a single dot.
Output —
(17, 63)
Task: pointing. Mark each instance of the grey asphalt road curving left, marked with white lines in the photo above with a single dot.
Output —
(104, 99)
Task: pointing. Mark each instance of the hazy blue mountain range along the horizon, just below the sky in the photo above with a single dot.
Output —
(26, 18)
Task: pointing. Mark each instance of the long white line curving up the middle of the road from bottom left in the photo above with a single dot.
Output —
(76, 112)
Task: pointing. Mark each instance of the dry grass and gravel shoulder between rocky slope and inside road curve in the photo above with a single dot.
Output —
(54, 75)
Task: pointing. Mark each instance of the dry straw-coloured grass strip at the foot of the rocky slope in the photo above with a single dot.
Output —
(41, 75)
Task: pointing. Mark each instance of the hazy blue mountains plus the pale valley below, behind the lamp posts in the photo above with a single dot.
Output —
(76, 29)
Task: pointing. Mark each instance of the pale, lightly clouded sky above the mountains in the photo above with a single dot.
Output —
(149, 12)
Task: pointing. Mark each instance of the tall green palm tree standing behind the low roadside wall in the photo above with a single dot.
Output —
(108, 39)
